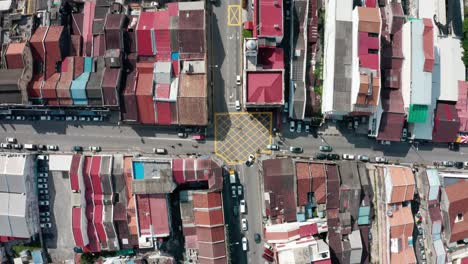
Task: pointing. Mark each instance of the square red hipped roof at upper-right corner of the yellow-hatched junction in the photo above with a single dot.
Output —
(265, 87)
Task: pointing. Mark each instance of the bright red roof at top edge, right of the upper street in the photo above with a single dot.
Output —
(271, 18)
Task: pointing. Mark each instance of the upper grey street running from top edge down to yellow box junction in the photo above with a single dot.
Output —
(226, 57)
